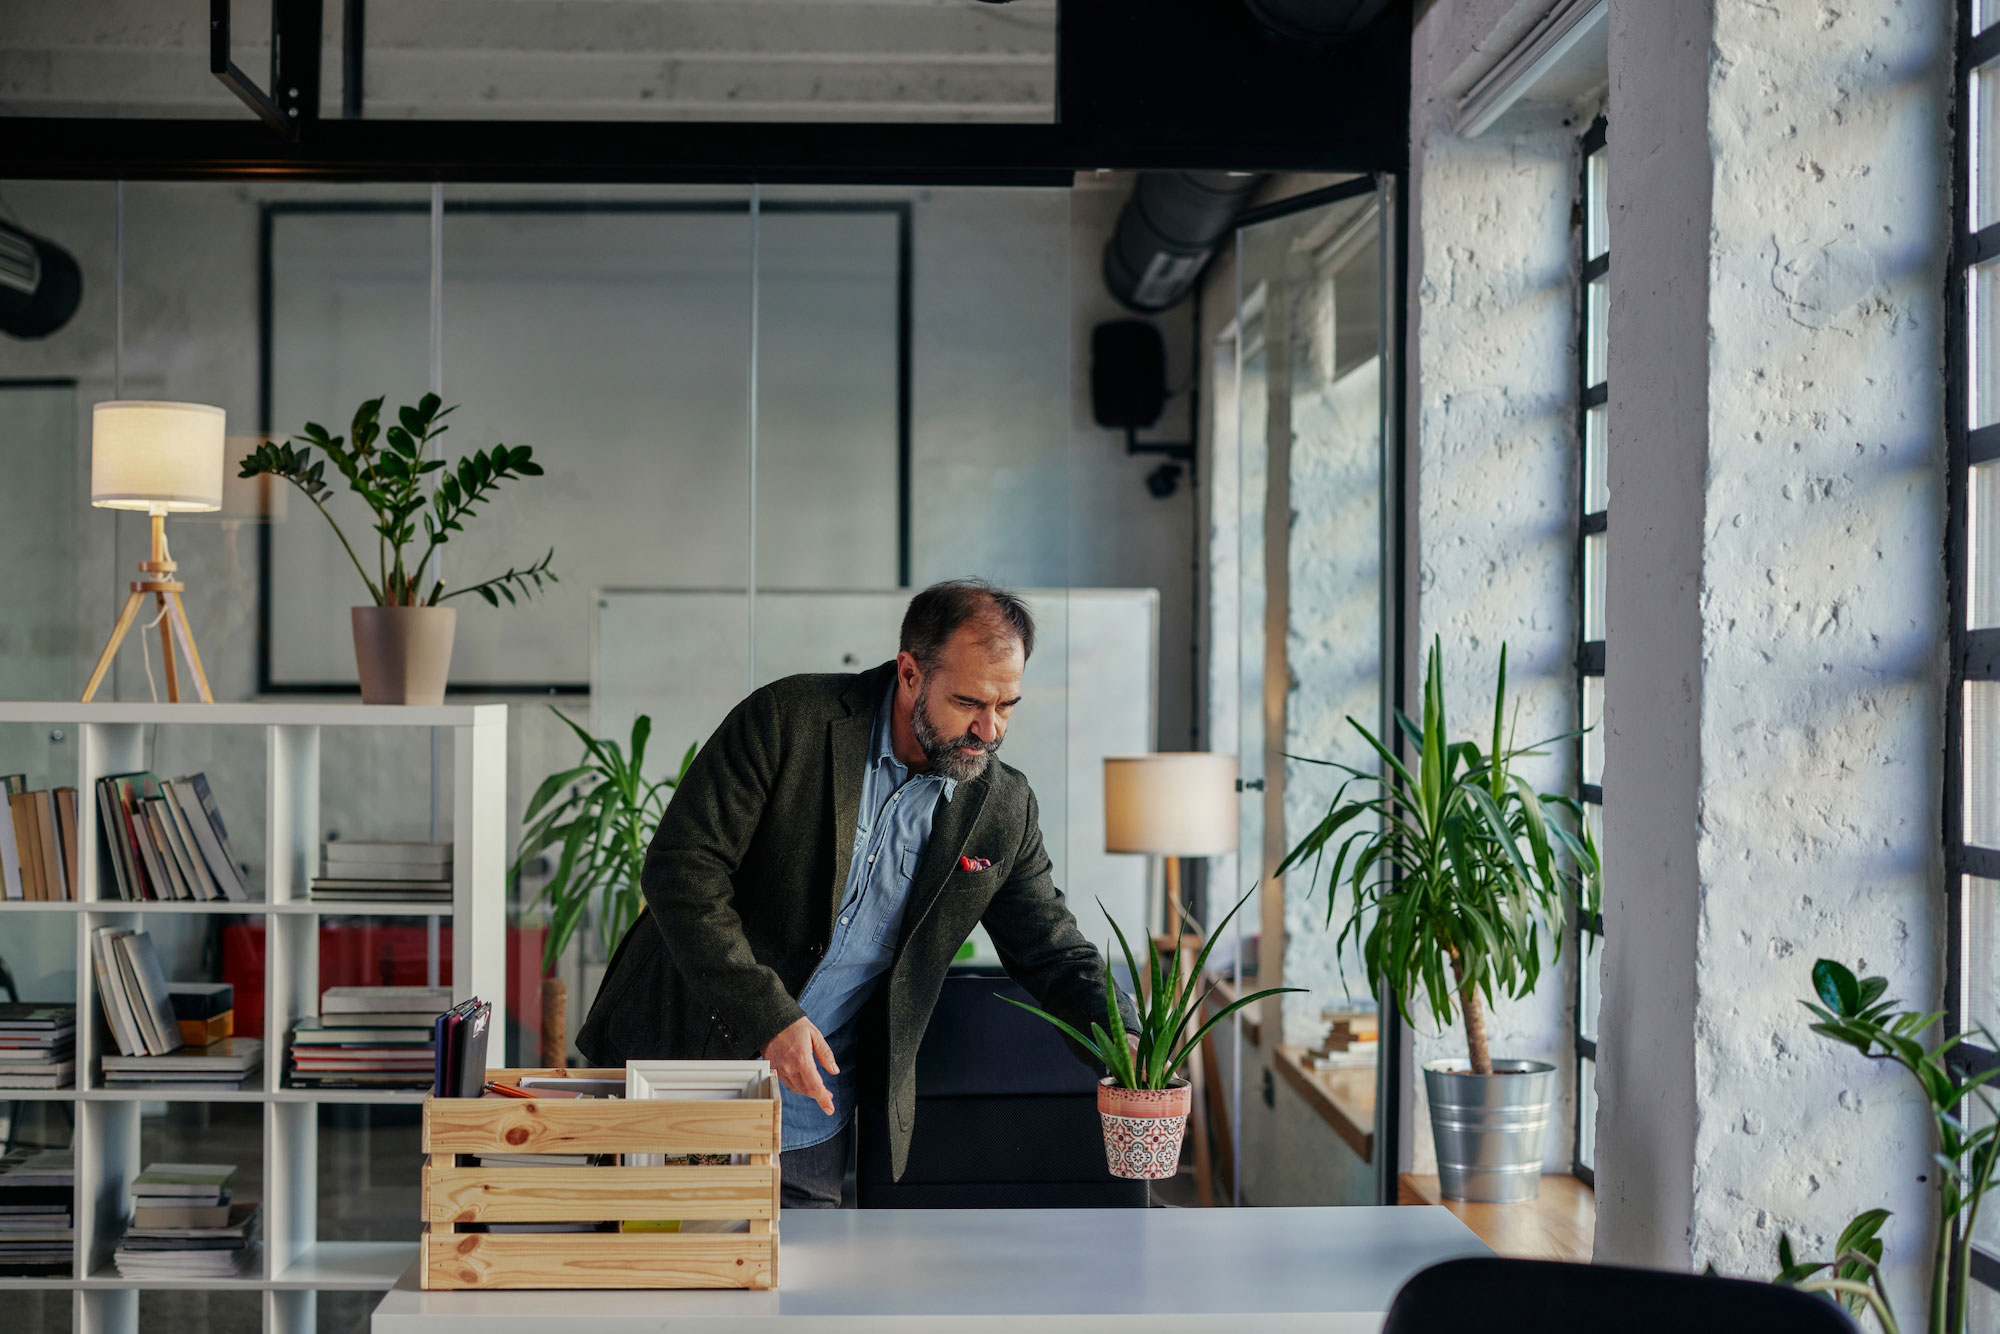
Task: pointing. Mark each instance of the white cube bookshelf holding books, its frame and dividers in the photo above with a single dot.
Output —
(107, 1139)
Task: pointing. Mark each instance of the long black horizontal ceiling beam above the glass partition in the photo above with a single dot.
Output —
(1141, 85)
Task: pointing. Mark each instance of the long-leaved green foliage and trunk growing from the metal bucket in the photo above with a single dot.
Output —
(1453, 867)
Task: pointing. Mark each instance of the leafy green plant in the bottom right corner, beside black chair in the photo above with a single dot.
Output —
(1969, 1149)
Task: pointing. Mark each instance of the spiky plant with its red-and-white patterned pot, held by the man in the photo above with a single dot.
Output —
(1145, 1103)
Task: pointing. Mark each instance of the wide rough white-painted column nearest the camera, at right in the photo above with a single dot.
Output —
(1775, 653)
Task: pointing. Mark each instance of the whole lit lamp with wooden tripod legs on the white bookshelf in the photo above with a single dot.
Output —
(163, 459)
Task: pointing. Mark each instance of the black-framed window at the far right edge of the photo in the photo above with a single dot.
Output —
(1973, 709)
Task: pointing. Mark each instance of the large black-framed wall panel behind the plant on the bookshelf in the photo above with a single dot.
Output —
(625, 341)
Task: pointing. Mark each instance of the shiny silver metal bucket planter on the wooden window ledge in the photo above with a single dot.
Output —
(1489, 1129)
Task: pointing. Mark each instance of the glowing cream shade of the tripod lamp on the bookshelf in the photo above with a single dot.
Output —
(157, 457)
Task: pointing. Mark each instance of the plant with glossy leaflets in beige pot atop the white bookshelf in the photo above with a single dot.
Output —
(403, 641)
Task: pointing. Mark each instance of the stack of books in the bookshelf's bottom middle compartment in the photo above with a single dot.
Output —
(185, 1225)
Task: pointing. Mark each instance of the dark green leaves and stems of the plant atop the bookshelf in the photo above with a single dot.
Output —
(389, 471)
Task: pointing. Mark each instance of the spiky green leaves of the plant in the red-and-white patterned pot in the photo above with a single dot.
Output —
(1173, 1001)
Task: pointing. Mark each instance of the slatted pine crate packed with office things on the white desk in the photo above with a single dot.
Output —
(455, 1195)
